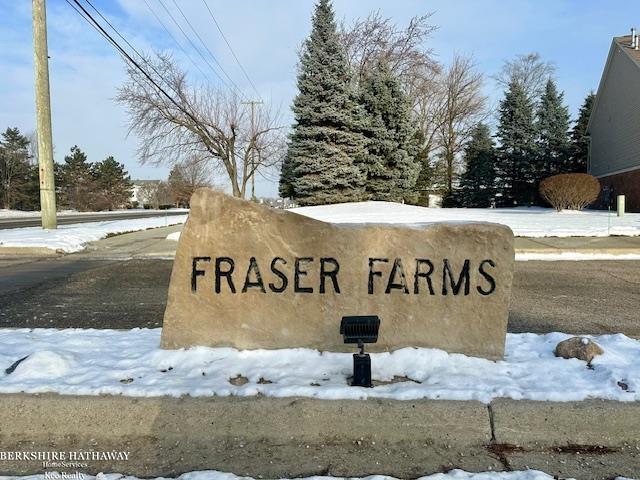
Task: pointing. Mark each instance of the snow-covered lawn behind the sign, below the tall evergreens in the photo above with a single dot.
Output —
(525, 222)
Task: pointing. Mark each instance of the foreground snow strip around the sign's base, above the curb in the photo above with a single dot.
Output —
(130, 362)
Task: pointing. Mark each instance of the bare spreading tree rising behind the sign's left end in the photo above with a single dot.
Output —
(214, 126)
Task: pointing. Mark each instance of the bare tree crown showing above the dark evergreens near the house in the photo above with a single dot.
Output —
(529, 70)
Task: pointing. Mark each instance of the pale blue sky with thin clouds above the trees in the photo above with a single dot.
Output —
(85, 71)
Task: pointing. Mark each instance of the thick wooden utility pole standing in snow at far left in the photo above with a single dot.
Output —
(43, 116)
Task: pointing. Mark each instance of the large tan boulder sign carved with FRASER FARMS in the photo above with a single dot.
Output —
(248, 276)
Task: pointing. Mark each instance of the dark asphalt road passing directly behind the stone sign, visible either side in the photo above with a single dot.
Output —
(573, 297)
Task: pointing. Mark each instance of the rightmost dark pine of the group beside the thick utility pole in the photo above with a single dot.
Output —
(113, 184)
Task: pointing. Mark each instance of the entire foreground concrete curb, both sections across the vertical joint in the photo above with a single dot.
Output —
(288, 437)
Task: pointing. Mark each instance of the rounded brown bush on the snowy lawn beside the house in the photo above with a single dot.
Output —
(572, 191)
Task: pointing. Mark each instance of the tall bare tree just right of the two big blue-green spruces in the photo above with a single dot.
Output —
(462, 106)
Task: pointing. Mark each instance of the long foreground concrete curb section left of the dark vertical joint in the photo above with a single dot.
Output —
(257, 436)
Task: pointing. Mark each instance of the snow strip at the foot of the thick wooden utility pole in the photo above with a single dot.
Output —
(72, 238)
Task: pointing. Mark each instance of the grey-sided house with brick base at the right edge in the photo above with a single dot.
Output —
(614, 125)
